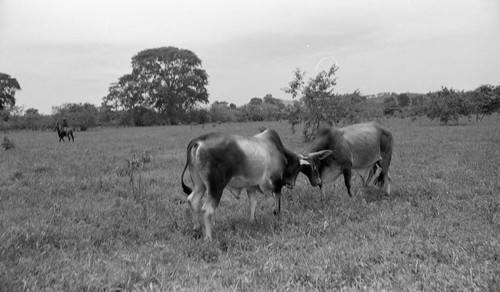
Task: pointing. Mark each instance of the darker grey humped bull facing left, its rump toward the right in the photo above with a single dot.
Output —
(366, 148)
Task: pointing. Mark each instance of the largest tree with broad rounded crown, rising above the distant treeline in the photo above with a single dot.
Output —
(167, 79)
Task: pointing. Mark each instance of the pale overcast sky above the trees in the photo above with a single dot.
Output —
(69, 51)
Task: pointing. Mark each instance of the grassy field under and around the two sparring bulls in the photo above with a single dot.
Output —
(71, 220)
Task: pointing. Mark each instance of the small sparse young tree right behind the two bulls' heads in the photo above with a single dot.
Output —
(320, 104)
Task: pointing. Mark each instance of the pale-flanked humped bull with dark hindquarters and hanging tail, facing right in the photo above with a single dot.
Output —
(258, 163)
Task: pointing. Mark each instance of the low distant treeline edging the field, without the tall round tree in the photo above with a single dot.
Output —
(446, 105)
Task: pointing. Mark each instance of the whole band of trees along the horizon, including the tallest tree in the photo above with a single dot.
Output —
(167, 86)
